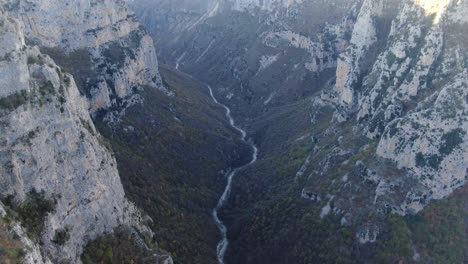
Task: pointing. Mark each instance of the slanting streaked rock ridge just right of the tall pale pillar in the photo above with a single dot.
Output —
(401, 71)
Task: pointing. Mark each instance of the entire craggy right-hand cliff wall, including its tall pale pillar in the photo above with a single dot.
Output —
(411, 100)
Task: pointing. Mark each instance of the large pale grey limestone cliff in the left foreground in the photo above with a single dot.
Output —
(52, 155)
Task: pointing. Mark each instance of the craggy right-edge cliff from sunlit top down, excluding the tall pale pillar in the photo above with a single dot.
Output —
(423, 116)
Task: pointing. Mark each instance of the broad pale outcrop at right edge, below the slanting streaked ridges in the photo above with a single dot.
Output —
(431, 144)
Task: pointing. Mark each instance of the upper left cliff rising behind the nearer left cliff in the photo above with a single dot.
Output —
(113, 53)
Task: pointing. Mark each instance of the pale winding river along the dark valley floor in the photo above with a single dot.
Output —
(224, 242)
